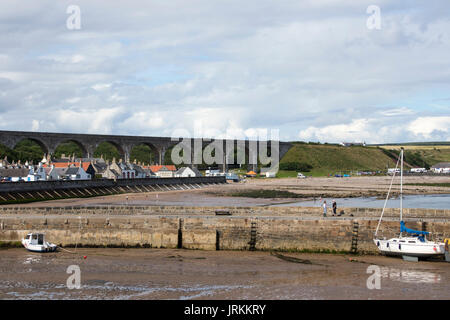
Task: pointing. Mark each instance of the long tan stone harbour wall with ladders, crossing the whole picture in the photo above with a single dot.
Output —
(207, 228)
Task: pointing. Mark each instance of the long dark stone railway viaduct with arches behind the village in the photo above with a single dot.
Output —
(88, 143)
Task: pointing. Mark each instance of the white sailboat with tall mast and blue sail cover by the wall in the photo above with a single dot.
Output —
(415, 244)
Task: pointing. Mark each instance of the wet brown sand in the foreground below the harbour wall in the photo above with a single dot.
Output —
(194, 274)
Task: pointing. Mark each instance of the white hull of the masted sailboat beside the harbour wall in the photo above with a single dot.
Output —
(410, 247)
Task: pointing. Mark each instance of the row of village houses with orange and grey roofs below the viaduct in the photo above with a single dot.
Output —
(71, 168)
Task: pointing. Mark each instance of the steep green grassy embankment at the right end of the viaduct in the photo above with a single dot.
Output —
(330, 159)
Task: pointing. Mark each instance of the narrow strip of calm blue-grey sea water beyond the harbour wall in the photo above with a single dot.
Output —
(435, 201)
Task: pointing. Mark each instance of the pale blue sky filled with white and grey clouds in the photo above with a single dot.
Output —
(310, 70)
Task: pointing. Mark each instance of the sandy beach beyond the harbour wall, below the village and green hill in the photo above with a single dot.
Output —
(219, 195)
